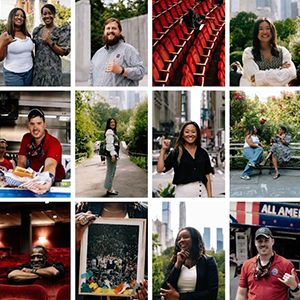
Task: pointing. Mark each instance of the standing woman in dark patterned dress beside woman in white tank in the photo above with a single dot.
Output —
(51, 42)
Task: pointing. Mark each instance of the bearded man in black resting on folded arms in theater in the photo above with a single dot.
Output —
(38, 267)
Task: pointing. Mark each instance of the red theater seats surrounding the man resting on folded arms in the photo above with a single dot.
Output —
(58, 290)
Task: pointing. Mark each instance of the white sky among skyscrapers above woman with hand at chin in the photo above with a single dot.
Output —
(199, 214)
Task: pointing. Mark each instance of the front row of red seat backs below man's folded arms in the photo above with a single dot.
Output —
(31, 292)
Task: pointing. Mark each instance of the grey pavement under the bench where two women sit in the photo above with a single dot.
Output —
(287, 185)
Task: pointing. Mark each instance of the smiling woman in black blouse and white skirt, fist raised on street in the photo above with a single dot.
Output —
(191, 163)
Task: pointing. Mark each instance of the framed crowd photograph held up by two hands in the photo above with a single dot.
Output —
(112, 257)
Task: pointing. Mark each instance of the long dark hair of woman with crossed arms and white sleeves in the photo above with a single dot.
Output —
(256, 42)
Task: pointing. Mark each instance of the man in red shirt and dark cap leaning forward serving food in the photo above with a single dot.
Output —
(40, 149)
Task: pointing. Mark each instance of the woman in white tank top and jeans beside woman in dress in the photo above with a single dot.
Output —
(16, 49)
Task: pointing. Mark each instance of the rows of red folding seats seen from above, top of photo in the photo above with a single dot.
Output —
(174, 42)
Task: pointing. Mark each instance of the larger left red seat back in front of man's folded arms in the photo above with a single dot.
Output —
(22, 292)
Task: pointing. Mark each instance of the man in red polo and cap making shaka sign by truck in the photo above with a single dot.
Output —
(268, 275)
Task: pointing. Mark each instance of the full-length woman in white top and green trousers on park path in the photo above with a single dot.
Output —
(112, 143)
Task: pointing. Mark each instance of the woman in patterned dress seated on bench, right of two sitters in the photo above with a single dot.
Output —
(279, 151)
